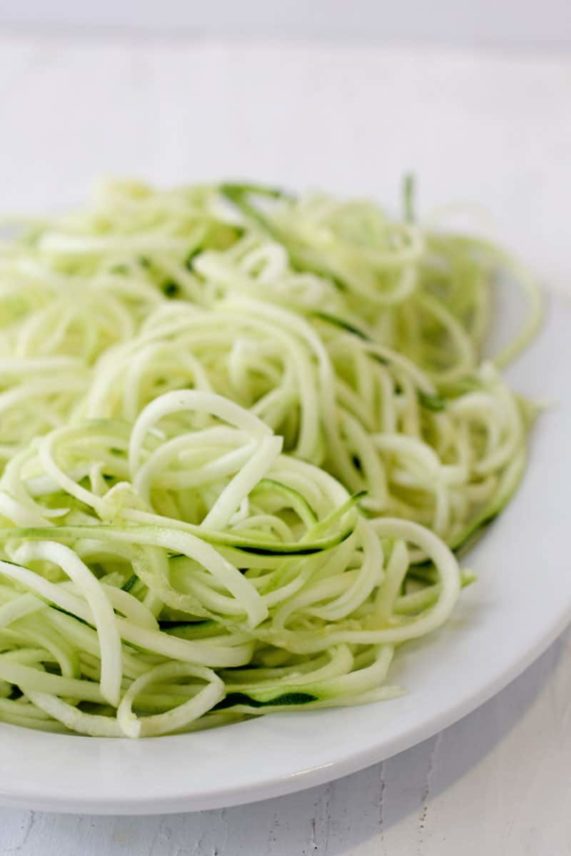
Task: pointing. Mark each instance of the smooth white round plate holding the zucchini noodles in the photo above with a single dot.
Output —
(521, 603)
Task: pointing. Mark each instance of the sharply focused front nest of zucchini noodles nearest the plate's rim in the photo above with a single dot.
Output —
(162, 574)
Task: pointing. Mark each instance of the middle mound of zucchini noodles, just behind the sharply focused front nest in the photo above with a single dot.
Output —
(363, 412)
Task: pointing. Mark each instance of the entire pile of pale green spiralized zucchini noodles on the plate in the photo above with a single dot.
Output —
(242, 436)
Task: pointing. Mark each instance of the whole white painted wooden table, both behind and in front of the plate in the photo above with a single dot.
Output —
(493, 129)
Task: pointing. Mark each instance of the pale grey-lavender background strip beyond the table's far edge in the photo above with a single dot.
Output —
(504, 23)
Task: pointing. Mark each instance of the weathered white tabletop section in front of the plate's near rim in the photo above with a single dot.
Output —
(496, 782)
